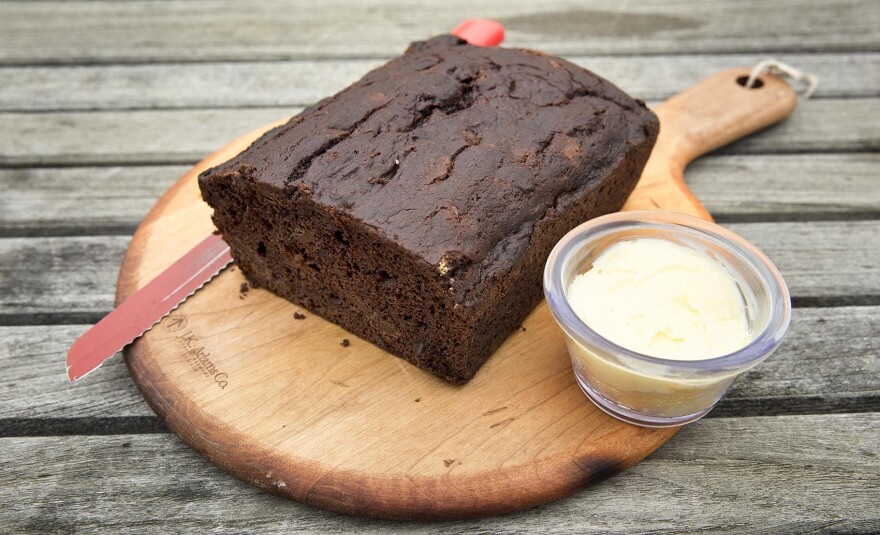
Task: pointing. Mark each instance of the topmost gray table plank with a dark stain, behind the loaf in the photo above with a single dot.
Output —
(114, 31)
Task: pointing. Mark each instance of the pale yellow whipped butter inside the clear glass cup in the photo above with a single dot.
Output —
(662, 299)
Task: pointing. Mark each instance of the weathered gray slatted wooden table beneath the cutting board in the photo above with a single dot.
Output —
(104, 104)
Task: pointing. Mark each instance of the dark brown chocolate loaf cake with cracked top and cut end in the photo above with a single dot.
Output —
(416, 208)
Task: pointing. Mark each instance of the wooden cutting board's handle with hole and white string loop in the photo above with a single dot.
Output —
(707, 116)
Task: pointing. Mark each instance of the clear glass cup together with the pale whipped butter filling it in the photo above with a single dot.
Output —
(662, 311)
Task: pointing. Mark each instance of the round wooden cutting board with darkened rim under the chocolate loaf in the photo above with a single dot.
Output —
(285, 403)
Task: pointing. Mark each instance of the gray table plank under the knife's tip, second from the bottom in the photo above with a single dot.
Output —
(829, 362)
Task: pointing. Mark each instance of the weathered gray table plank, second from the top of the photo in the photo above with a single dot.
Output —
(299, 83)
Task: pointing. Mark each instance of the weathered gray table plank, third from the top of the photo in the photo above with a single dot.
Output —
(185, 136)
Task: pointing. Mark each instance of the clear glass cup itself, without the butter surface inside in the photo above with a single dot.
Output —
(651, 391)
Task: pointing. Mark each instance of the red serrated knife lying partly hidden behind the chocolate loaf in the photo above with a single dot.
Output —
(146, 307)
